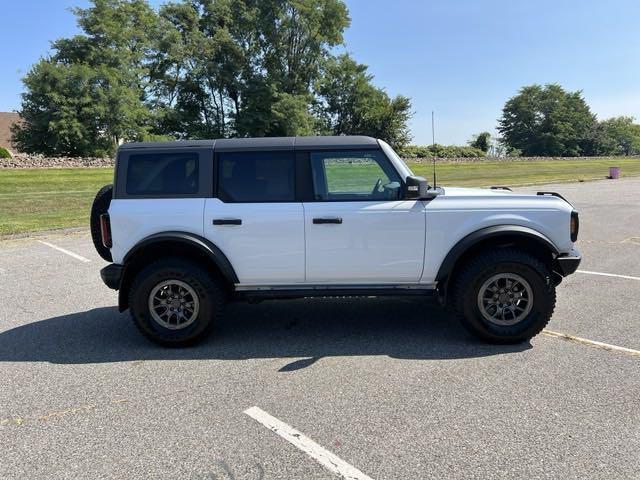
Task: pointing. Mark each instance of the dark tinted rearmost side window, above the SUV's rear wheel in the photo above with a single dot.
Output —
(163, 174)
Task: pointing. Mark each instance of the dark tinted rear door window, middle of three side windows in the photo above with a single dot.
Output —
(256, 177)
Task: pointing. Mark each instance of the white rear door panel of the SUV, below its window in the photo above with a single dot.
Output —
(268, 248)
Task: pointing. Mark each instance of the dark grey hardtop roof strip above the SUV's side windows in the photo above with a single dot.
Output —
(263, 143)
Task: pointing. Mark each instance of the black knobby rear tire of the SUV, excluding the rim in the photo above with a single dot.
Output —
(210, 296)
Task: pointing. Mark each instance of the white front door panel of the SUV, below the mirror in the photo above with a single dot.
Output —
(377, 242)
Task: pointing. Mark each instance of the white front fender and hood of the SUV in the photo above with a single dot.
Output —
(461, 211)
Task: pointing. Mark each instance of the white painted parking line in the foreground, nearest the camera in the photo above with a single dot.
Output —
(308, 446)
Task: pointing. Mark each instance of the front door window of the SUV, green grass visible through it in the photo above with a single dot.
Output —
(354, 175)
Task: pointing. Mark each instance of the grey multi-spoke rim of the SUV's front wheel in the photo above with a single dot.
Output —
(505, 299)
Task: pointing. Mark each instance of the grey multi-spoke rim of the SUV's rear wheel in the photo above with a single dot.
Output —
(173, 304)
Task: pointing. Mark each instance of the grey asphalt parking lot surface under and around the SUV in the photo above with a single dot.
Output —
(390, 388)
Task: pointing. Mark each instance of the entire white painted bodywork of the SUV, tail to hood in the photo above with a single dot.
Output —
(378, 242)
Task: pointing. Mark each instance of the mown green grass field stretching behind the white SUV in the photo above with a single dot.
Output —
(42, 199)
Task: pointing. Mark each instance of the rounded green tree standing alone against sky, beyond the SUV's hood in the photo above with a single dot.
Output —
(547, 121)
